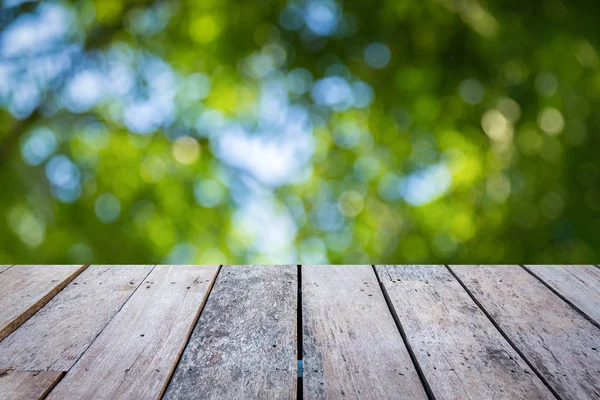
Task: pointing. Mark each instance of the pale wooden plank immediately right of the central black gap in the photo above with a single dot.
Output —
(351, 344)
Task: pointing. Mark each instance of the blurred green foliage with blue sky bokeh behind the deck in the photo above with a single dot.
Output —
(389, 131)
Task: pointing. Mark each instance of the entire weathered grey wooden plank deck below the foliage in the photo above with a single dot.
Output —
(314, 332)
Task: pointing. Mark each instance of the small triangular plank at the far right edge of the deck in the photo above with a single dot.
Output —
(579, 284)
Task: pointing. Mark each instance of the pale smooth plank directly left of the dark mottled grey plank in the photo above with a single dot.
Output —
(135, 354)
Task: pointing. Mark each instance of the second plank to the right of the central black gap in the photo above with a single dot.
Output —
(461, 353)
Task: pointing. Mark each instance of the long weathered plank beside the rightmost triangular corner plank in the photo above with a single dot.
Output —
(560, 343)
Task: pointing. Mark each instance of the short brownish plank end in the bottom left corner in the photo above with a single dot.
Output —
(27, 385)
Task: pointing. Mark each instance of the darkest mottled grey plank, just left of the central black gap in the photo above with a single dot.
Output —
(244, 345)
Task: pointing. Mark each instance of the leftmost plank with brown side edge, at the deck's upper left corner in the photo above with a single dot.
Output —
(24, 289)
